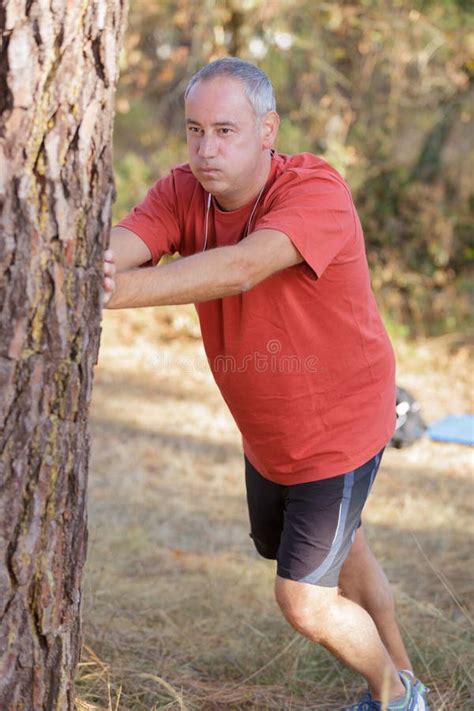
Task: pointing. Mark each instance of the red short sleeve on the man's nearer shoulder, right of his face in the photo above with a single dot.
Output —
(314, 209)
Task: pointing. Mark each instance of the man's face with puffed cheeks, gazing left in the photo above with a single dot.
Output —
(225, 140)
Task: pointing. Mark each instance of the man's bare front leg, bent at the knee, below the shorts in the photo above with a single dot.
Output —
(343, 628)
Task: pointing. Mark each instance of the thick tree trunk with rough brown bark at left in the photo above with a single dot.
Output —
(57, 80)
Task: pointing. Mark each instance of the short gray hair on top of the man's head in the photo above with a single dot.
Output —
(257, 86)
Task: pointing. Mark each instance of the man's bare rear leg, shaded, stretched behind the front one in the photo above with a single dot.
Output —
(363, 581)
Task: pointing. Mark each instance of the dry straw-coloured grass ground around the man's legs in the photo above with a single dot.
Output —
(178, 608)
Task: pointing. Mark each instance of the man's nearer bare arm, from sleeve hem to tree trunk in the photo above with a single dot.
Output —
(223, 271)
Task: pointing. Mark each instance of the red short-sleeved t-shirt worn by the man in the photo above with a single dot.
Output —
(302, 360)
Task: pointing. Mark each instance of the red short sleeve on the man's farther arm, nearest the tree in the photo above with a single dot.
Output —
(155, 219)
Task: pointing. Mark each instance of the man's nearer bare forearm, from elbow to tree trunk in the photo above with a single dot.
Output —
(201, 277)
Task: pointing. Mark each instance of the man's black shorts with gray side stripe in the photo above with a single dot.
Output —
(308, 528)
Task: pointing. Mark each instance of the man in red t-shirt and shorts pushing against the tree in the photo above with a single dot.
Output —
(273, 257)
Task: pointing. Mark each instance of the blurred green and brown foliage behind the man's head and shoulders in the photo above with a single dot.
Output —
(382, 89)
